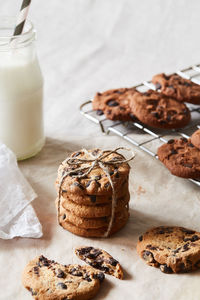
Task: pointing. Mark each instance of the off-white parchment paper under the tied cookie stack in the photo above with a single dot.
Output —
(157, 198)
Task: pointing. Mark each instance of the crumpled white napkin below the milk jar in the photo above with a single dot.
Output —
(17, 216)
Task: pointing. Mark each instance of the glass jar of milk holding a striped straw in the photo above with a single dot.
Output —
(21, 91)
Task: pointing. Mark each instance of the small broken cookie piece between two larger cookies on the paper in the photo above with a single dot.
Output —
(101, 260)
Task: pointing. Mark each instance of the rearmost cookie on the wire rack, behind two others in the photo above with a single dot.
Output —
(178, 88)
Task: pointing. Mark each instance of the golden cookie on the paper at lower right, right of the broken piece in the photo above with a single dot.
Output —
(172, 249)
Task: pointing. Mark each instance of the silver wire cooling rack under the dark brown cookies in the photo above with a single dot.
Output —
(144, 137)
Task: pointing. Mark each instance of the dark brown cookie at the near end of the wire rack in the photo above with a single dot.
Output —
(181, 158)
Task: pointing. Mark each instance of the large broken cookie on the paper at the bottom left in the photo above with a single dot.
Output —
(46, 279)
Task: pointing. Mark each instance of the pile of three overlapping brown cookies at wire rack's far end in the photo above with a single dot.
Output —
(161, 108)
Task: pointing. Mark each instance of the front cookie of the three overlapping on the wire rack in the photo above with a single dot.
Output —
(157, 110)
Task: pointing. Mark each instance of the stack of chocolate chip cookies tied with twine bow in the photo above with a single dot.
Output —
(85, 201)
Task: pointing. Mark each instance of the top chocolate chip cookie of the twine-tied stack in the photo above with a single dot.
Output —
(96, 182)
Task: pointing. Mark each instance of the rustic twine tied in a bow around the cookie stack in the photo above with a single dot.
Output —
(90, 163)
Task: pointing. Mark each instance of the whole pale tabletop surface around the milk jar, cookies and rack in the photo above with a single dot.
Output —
(86, 46)
